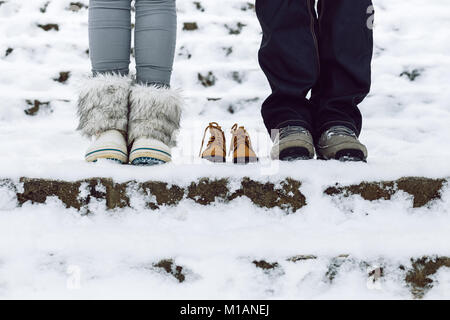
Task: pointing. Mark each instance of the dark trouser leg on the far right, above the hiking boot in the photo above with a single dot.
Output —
(346, 46)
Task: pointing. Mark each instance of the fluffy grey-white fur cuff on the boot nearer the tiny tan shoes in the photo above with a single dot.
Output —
(155, 113)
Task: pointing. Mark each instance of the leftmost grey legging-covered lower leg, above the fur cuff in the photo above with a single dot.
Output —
(110, 36)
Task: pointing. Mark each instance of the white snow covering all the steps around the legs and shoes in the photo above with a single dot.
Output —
(406, 128)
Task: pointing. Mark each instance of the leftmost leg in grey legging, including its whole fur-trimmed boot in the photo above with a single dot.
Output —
(103, 101)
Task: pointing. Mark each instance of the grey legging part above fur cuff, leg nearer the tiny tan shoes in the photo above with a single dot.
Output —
(155, 38)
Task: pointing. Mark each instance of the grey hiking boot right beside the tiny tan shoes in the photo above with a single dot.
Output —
(293, 143)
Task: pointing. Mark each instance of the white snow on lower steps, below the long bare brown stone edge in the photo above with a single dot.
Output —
(216, 245)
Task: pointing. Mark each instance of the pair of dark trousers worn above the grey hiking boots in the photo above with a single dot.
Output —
(330, 53)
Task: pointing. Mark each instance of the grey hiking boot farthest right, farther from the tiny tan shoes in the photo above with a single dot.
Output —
(341, 143)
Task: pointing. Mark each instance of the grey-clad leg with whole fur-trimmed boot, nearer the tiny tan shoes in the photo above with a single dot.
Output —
(155, 109)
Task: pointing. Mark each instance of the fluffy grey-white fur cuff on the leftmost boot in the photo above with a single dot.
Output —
(103, 104)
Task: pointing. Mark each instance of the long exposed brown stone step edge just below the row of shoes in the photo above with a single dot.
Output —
(286, 194)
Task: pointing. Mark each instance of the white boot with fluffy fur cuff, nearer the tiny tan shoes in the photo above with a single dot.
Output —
(155, 114)
